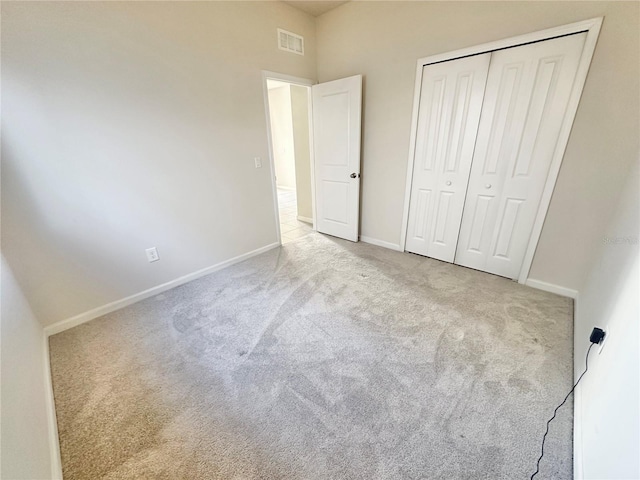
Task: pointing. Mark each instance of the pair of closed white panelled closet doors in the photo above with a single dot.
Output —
(486, 133)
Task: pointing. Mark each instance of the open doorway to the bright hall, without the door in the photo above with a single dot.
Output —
(288, 105)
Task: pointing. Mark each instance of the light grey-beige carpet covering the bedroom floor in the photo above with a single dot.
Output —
(322, 359)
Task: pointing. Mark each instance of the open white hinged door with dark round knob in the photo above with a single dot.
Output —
(337, 109)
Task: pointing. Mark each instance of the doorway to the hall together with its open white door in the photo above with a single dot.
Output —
(314, 133)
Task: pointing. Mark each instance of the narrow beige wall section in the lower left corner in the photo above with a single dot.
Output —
(24, 439)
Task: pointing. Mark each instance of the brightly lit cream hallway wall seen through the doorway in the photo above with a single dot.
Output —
(282, 136)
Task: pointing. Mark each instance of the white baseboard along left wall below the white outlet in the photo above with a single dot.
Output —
(118, 304)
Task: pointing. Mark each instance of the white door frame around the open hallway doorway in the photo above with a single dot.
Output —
(305, 82)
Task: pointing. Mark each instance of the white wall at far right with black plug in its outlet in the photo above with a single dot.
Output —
(607, 415)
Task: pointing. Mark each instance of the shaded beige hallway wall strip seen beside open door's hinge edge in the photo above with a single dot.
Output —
(300, 117)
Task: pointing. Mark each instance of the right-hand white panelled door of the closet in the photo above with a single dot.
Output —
(527, 93)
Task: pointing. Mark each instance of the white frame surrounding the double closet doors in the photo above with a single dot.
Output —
(592, 28)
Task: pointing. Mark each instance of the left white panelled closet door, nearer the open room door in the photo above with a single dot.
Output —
(450, 105)
